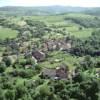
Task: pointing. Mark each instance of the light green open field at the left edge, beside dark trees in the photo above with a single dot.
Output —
(7, 33)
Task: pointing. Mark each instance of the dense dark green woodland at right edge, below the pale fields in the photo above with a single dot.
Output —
(89, 46)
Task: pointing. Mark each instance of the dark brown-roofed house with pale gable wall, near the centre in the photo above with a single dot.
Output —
(38, 55)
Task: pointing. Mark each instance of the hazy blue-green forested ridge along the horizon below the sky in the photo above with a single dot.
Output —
(46, 10)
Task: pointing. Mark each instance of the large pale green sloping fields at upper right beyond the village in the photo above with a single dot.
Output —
(71, 27)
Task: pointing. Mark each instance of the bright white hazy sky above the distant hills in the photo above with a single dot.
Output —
(79, 3)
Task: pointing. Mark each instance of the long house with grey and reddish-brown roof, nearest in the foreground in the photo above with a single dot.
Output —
(60, 72)
